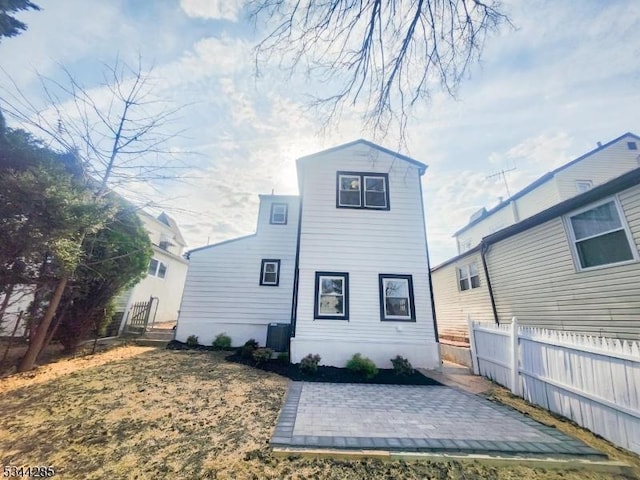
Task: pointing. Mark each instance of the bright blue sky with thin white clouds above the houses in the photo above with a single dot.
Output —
(546, 90)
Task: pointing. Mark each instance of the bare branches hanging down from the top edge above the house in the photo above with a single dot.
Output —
(379, 57)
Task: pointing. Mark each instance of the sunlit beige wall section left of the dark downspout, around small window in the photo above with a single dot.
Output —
(453, 306)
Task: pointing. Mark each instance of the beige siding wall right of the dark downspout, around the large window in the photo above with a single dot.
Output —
(534, 278)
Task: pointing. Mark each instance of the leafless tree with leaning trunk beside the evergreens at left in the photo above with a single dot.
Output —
(120, 130)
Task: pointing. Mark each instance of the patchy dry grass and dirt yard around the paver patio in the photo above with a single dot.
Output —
(137, 413)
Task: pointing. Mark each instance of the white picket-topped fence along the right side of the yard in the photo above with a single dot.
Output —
(594, 381)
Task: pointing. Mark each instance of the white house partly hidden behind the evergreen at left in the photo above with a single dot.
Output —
(165, 276)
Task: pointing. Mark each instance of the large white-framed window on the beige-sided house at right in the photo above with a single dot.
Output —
(599, 236)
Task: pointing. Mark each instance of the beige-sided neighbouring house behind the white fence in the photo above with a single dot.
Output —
(574, 266)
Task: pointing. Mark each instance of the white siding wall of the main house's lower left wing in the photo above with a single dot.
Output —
(223, 292)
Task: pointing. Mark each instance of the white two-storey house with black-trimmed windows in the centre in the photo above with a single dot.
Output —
(346, 264)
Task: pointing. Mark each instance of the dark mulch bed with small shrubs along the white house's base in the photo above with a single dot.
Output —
(323, 374)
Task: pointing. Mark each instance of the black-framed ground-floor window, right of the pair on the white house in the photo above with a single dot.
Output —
(396, 298)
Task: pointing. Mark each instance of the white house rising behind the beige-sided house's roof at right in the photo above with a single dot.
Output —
(591, 169)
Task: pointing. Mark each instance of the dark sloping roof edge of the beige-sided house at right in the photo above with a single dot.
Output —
(618, 184)
